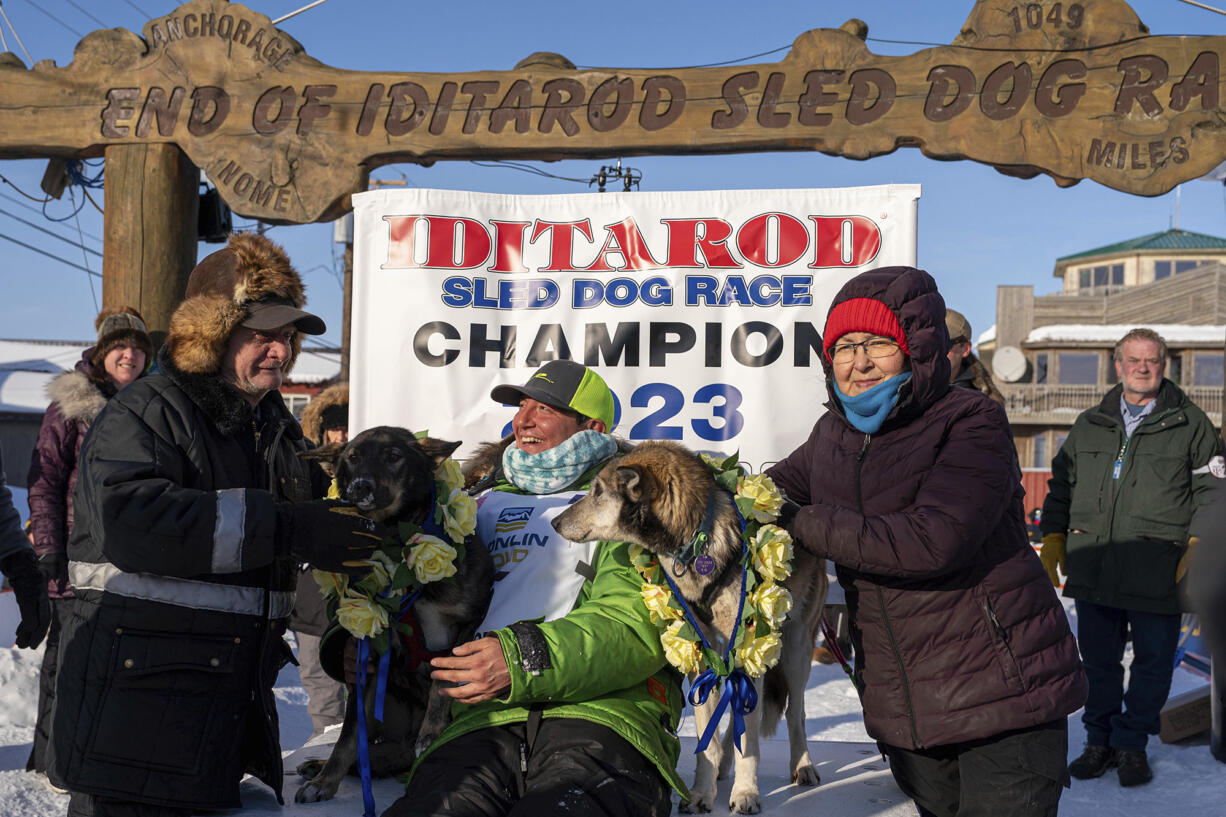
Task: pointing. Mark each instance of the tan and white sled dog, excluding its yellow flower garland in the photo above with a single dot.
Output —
(658, 496)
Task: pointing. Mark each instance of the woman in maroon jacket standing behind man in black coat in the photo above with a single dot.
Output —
(118, 358)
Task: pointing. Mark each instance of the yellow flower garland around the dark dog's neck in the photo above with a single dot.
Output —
(370, 607)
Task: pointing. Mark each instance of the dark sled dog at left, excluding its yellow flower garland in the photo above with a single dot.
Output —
(389, 475)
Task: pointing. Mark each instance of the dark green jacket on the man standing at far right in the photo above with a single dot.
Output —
(1126, 534)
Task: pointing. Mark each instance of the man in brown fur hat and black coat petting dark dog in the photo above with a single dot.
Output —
(193, 511)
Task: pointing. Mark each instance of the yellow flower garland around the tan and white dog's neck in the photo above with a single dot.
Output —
(768, 603)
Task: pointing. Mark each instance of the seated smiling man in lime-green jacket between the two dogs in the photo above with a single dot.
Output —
(566, 701)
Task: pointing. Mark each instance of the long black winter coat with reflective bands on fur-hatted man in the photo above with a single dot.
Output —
(165, 691)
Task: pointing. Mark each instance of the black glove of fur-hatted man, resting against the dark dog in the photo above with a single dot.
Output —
(328, 535)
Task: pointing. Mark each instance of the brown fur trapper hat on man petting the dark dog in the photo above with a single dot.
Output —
(249, 283)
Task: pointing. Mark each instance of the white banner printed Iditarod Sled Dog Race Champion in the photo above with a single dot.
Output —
(702, 310)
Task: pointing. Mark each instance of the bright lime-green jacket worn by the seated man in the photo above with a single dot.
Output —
(607, 668)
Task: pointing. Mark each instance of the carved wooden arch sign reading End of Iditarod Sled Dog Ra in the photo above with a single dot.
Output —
(1075, 90)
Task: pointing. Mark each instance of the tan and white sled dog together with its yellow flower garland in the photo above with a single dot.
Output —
(682, 512)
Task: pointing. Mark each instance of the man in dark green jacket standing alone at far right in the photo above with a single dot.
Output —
(1124, 491)
